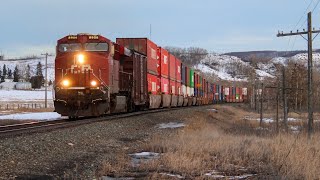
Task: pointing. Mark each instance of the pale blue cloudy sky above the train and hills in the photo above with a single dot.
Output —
(33, 26)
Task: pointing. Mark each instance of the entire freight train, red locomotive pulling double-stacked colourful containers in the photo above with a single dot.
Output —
(95, 76)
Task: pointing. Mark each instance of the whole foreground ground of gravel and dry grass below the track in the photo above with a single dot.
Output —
(216, 141)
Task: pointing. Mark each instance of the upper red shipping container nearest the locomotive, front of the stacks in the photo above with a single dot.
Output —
(144, 46)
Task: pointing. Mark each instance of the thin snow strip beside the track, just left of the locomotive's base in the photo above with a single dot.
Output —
(32, 116)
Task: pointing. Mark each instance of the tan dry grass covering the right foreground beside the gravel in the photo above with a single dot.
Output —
(216, 141)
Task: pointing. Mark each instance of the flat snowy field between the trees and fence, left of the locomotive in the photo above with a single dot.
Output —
(15, 95)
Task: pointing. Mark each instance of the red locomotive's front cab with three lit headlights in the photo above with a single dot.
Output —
(82, 67)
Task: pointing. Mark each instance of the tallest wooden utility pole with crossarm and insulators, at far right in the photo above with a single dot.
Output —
(310, 82)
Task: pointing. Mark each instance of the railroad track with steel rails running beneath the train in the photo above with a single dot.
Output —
(45, 126)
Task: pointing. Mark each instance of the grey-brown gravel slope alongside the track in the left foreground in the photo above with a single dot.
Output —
(79, 151)
